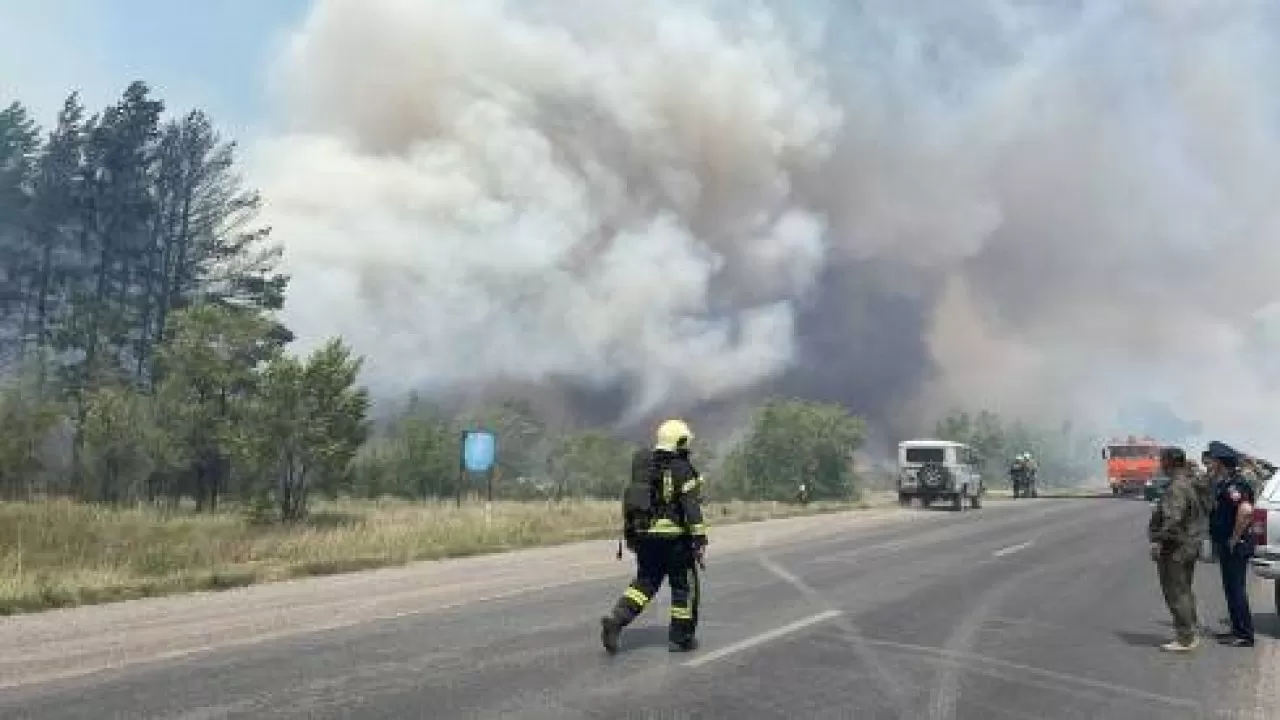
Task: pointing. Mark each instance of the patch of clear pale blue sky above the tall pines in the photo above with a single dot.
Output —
(212, 54)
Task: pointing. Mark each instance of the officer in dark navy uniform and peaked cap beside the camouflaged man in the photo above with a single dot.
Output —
(1229, 530)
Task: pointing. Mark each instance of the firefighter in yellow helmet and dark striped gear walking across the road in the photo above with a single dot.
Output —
(669, 546)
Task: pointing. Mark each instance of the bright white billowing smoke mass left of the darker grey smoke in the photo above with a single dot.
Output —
(470, 194)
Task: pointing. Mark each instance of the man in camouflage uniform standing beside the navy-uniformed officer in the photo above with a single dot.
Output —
(1178, 526)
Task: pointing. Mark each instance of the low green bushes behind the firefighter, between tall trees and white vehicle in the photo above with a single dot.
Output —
(789, 441)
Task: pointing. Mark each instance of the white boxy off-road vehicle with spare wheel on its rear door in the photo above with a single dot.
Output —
(934, 470)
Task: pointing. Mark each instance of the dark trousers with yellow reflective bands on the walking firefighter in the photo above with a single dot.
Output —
(657, 559)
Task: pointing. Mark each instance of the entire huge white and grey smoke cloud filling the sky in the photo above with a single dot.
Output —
(679, 197)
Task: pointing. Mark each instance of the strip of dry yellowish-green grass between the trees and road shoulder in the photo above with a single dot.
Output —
(62, 554)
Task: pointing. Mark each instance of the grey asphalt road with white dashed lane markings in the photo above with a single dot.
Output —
(1043, 609)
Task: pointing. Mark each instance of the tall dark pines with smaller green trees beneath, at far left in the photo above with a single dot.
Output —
(138, 321)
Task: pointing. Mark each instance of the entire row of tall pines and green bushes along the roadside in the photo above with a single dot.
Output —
(144, 359)
